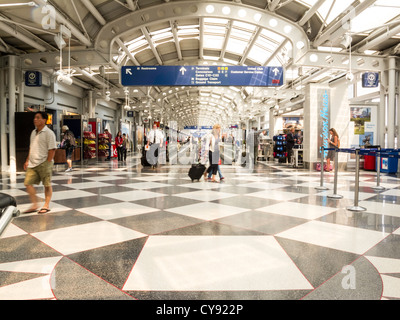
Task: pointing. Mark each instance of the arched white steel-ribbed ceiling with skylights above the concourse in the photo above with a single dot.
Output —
(108, 34)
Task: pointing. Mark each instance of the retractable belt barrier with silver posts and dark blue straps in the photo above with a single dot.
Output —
(378, 153)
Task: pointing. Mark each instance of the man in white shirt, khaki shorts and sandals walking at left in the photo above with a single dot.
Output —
(39, 163)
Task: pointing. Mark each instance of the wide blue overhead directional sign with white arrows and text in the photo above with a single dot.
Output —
(202, 76)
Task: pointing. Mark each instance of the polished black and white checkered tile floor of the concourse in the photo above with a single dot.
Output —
(123, 232)
